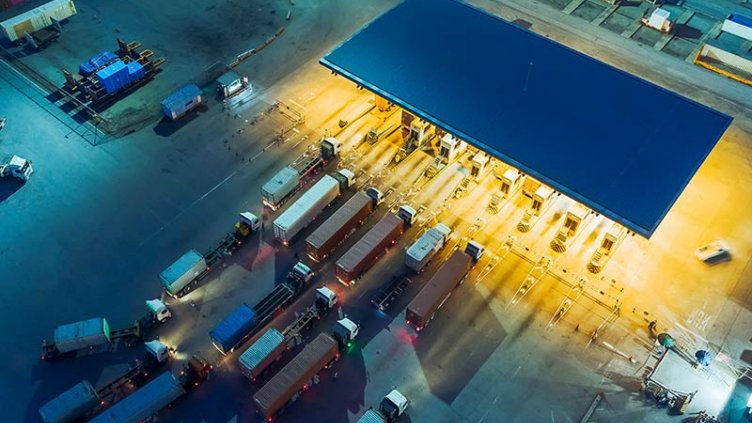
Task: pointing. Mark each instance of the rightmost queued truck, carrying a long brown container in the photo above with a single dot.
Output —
(438, 289)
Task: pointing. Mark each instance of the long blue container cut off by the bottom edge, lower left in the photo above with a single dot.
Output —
(145, 402)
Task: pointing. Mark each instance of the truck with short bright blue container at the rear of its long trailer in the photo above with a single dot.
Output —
(237, 326)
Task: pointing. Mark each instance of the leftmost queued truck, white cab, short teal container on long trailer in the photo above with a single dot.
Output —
(70, 339)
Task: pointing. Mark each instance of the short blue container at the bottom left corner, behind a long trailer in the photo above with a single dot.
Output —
(71, 405)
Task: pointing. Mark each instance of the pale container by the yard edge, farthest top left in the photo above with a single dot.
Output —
(32, 16)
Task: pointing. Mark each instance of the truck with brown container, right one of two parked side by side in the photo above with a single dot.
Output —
(364, 254)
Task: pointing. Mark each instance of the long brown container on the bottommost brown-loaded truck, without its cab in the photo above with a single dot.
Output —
(296, 375)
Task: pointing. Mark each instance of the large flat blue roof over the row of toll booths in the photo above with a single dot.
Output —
(618, 144)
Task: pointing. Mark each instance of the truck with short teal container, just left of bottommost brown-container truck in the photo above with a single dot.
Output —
(270, 346)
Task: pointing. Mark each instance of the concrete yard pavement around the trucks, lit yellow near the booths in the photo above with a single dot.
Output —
(97, 224)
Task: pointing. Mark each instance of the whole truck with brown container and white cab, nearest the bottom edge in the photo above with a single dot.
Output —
(300, 373)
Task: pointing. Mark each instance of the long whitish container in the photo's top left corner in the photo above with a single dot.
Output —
(40, 17)
